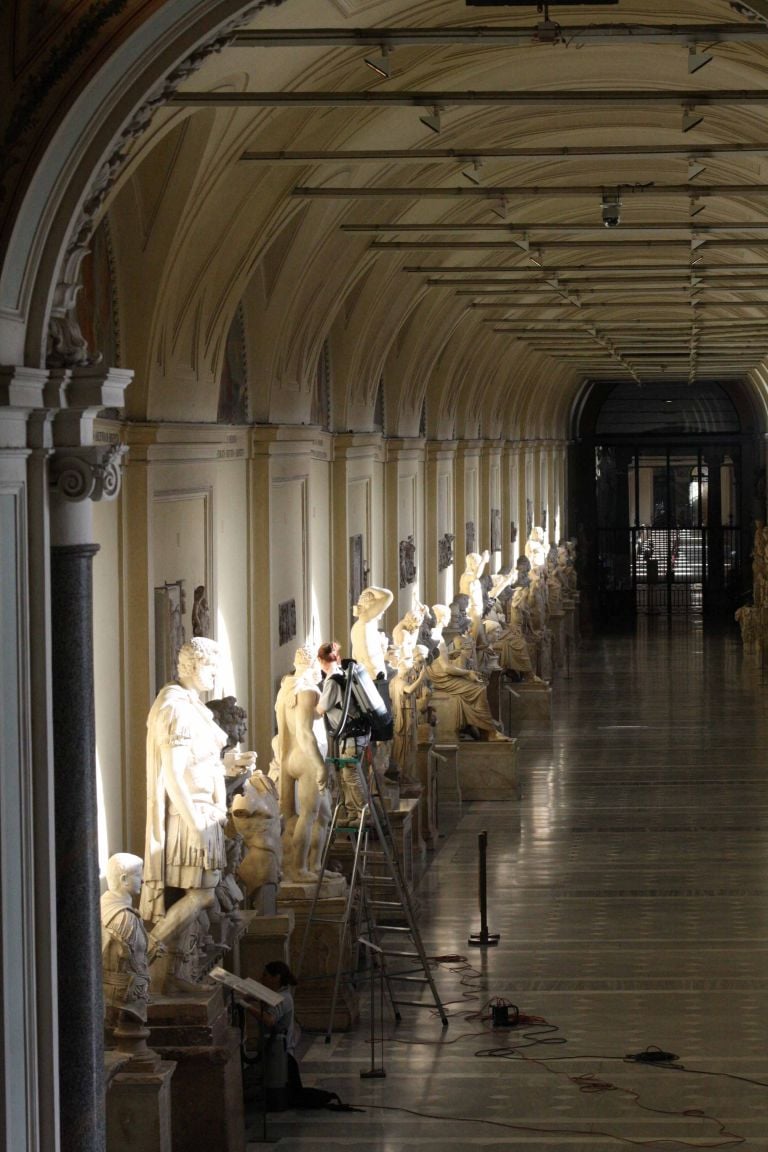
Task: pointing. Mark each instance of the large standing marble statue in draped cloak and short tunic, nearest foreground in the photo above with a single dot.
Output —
(186, 812)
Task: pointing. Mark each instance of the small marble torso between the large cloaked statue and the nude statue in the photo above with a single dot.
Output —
(256, 816)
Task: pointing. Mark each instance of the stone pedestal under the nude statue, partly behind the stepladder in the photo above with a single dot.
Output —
(322, 957)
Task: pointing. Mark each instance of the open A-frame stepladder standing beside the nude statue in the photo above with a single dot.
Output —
(376, 873)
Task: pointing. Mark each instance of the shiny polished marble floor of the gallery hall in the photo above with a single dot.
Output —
(630, 890)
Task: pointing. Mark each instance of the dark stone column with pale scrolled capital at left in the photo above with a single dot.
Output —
(80, 473)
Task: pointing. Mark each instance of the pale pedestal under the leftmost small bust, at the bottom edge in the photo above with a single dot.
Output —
(139, 1110)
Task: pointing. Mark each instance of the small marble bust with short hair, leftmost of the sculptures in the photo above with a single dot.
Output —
(126, 951)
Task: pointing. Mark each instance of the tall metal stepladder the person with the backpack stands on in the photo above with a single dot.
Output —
(379, 928)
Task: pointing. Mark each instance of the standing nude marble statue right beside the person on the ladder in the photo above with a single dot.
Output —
(303, 771)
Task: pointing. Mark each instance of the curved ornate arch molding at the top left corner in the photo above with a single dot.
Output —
(81, 165)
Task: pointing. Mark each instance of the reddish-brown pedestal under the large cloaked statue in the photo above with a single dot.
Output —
(207, 1090)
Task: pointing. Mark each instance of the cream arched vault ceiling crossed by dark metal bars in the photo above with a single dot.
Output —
(442, 226)
